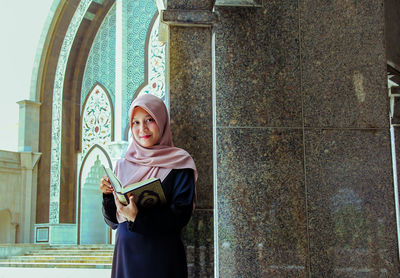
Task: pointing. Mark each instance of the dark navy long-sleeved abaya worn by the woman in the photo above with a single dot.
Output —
(151, 246)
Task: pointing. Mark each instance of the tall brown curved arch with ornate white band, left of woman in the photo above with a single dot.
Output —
(56, 83)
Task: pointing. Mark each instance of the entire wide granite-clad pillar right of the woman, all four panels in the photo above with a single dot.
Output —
(304, 183)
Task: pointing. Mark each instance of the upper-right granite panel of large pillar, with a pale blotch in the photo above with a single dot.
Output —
(343, 64)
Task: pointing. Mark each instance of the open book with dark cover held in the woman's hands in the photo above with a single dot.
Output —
(147, 193)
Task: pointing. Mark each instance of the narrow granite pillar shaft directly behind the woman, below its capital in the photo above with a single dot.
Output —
(191, 102)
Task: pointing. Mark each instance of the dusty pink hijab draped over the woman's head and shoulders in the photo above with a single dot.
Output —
(142, 163)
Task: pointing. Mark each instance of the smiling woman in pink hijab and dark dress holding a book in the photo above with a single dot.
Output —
(148, 242)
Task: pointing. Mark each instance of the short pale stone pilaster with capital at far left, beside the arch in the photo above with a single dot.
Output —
(28, 130)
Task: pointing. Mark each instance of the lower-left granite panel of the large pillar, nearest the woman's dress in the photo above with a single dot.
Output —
(261, 203)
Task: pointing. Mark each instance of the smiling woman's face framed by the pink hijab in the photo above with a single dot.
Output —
(144, 128)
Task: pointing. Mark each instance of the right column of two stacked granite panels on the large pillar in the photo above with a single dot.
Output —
(351, 211)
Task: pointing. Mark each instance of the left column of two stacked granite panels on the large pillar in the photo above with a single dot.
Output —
(261, 202)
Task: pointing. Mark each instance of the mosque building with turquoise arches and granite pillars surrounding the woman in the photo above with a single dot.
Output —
(289, 109)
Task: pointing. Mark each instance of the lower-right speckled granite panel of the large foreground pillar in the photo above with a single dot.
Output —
(351, 215)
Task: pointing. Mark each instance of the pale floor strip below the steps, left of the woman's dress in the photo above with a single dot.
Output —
(19, 272)
